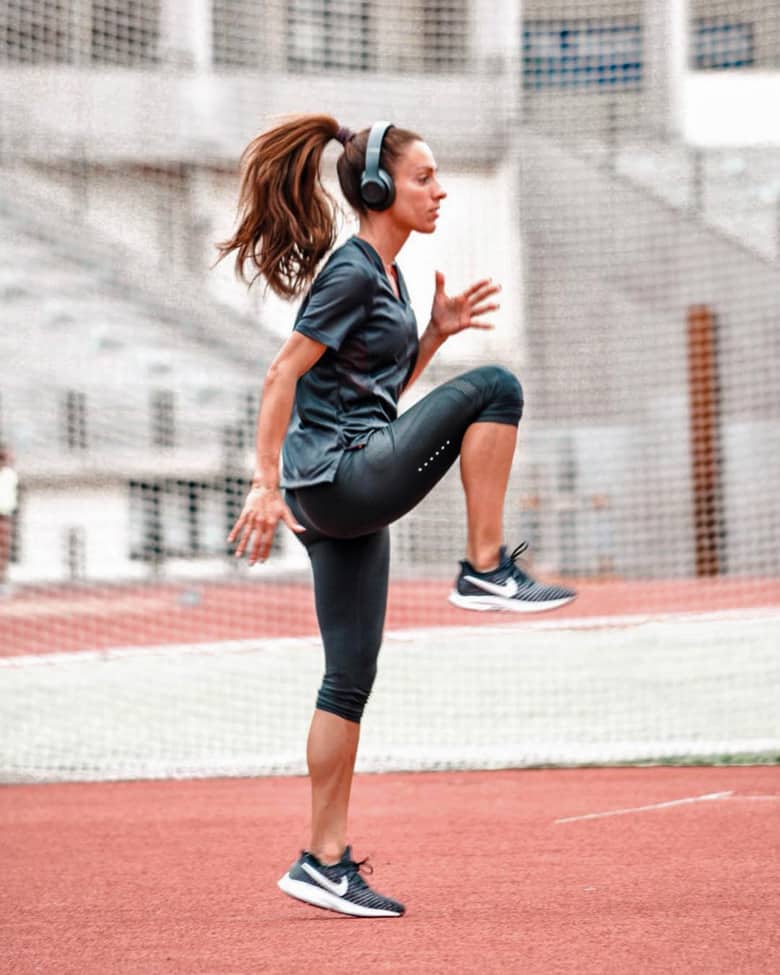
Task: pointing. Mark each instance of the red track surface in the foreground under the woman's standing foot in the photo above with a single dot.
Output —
(178, 878)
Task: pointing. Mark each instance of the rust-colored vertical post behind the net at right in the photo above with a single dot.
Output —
(704, 408)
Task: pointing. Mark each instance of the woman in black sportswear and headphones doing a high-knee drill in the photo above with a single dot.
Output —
(350, 465)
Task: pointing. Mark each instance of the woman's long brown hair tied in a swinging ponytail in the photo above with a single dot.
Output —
(285, 215)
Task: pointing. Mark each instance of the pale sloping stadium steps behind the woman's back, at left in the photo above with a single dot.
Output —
(78, 319)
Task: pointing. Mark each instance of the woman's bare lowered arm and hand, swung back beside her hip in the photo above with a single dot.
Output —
(264, 507)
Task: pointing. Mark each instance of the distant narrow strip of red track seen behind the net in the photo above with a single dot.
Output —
(83, 618)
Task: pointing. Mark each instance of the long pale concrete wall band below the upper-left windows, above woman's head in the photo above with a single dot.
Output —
(154, 116)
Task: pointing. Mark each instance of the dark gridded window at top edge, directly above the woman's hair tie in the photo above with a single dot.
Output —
(329, 35)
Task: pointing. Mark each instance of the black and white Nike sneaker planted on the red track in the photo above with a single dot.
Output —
(337, 888)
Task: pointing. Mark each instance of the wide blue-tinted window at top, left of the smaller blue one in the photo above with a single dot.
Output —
(581, 54)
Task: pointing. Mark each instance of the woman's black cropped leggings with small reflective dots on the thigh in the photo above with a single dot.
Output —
(346, 521)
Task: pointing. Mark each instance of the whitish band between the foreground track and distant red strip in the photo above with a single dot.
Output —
(696, 689)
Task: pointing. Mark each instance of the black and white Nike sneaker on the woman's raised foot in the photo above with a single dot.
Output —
(506, 587)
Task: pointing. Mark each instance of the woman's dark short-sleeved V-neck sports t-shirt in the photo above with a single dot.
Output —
(354, 387)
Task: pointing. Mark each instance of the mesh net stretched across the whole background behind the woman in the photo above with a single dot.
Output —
(640, 292)
